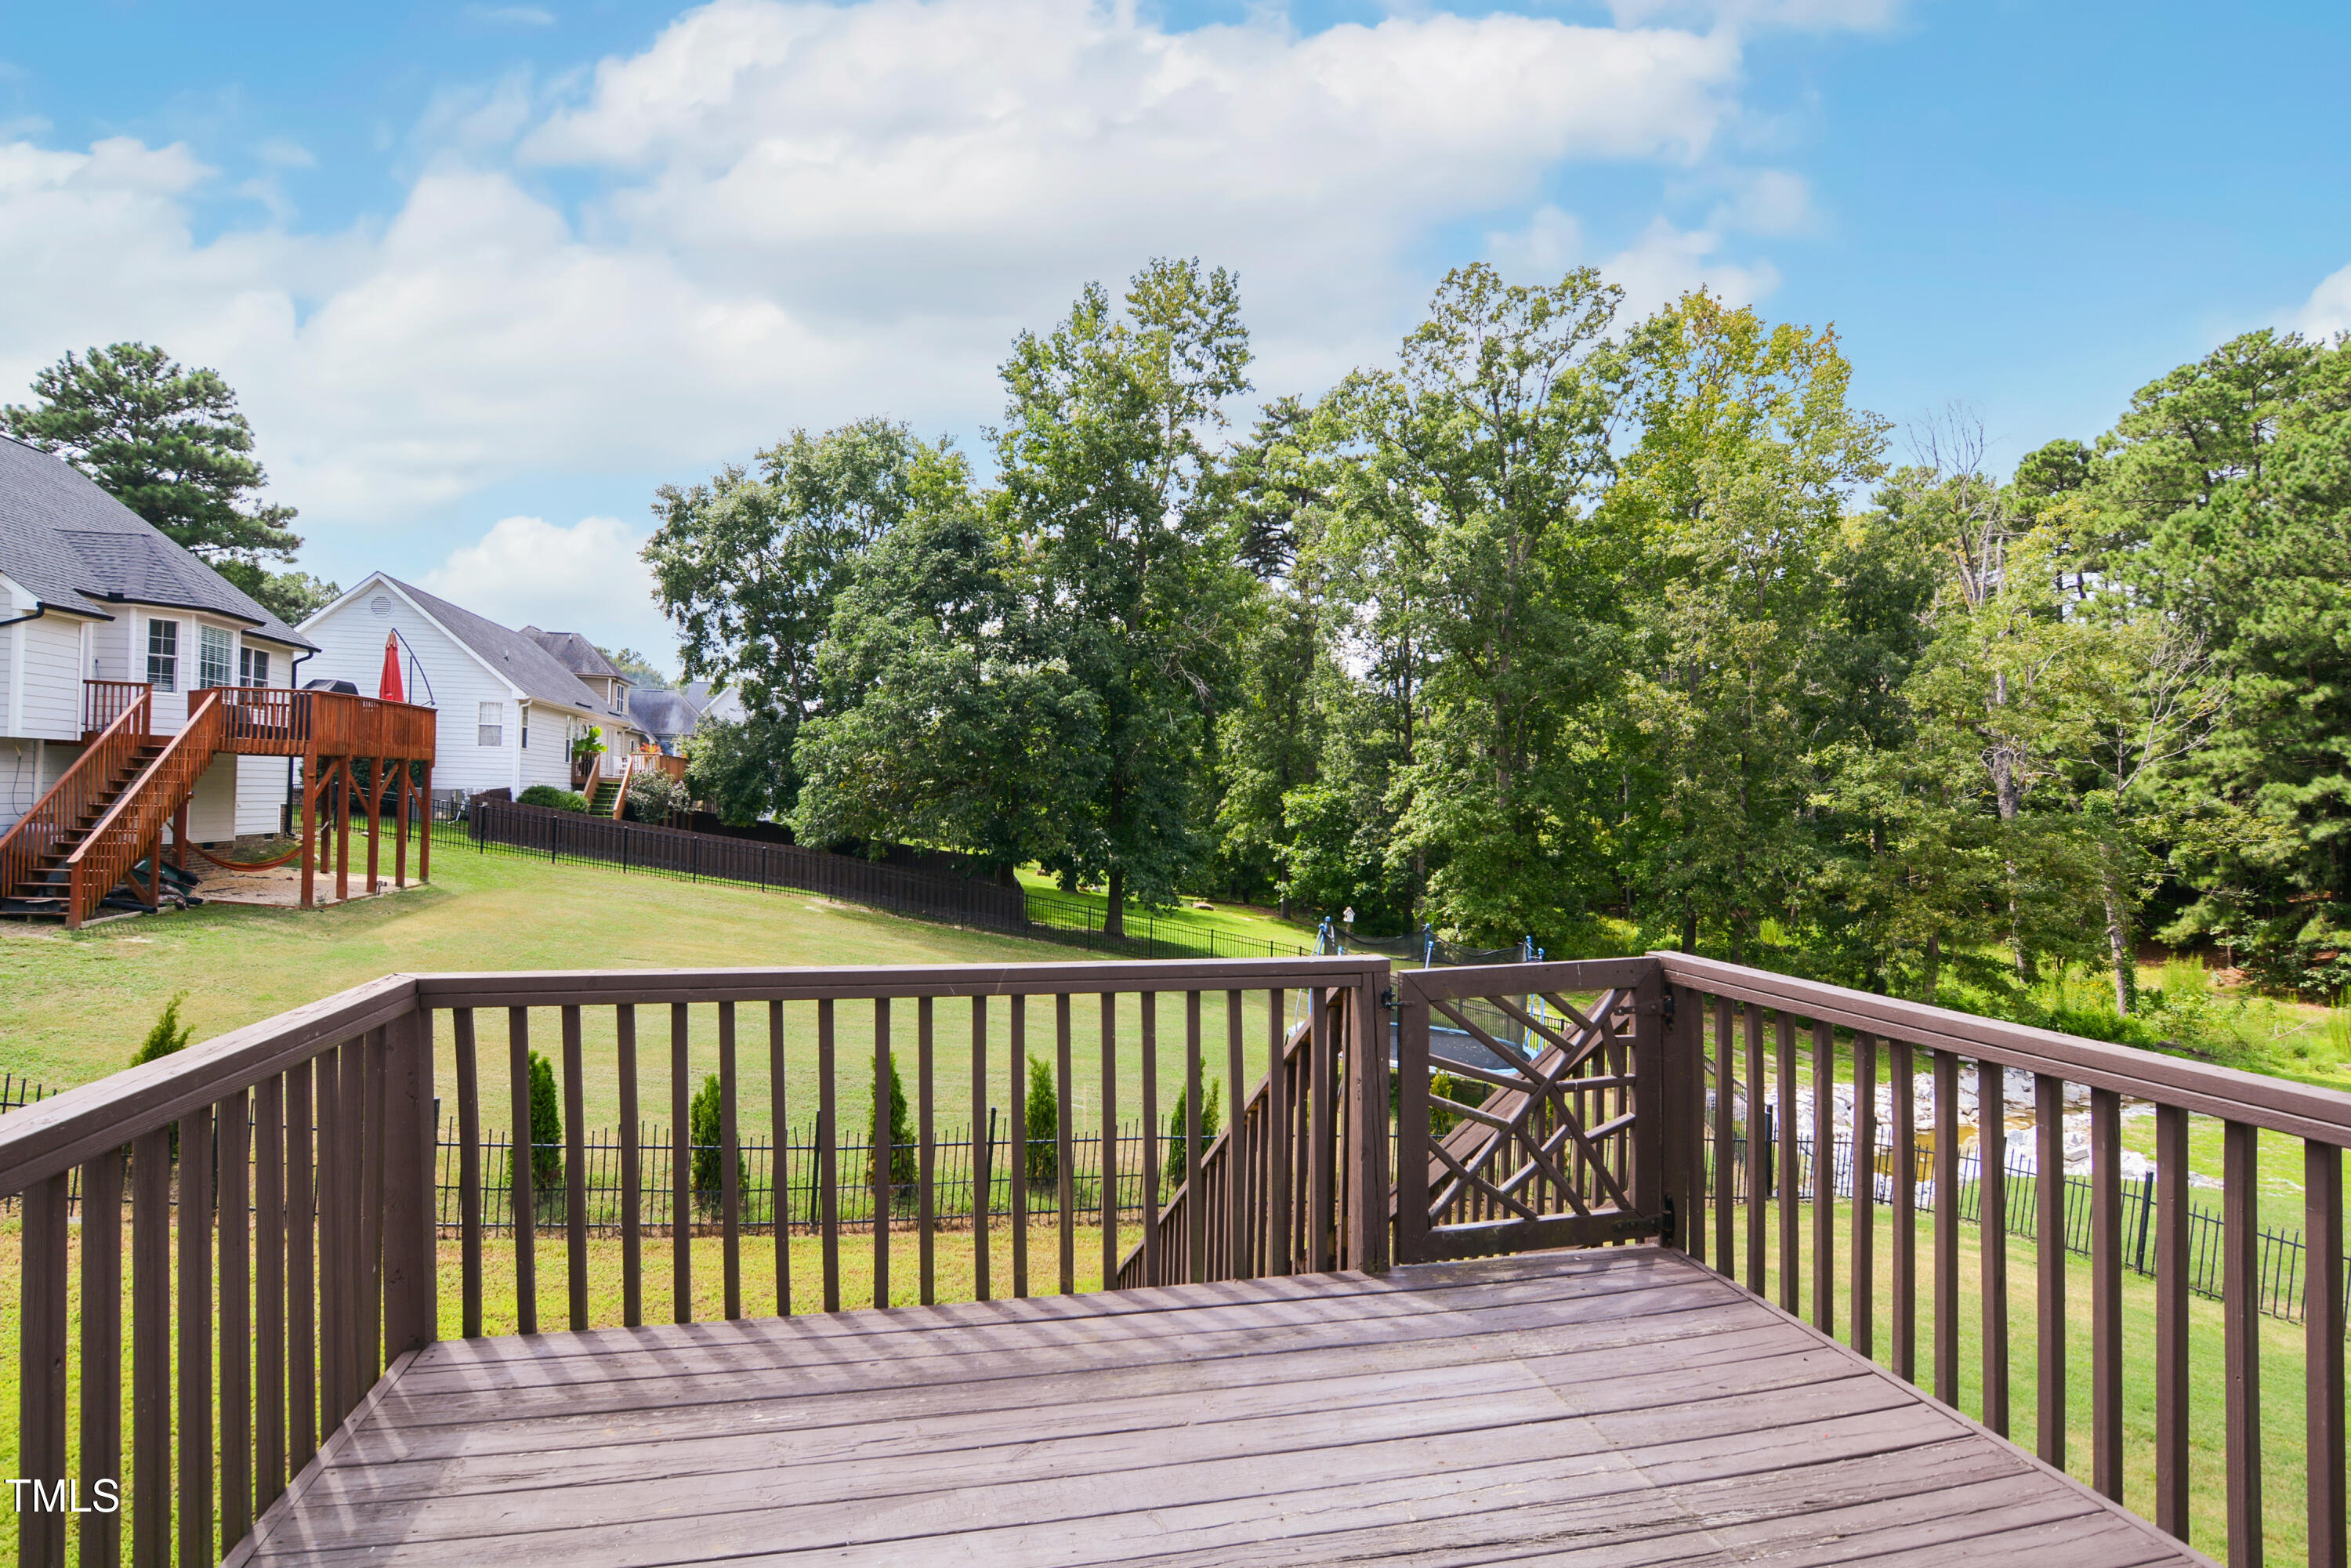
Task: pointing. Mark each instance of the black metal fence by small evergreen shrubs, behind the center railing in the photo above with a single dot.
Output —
(786, 1179)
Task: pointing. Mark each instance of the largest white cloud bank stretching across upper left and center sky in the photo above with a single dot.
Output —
(810, 213)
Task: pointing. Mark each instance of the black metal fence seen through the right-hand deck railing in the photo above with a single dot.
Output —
(2282, 1257)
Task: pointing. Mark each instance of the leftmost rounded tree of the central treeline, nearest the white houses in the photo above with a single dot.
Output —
(751, 565)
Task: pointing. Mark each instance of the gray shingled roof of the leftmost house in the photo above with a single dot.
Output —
(79, 549)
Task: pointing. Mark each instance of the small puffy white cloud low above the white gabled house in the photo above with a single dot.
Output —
(563, 579)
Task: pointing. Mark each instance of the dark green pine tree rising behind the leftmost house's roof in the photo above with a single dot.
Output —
(170, 443)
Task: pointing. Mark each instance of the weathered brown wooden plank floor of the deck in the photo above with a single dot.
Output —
(1607, 1407)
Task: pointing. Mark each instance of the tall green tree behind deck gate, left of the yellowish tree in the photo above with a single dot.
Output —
(1468, 500)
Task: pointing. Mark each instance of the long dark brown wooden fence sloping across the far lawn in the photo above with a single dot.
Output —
(711, 857)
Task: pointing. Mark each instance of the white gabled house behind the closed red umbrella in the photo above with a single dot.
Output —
(509, 709)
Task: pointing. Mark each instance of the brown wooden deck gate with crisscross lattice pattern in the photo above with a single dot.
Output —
(1520, 1108)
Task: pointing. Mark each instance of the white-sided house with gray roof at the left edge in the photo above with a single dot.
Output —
(98, 605)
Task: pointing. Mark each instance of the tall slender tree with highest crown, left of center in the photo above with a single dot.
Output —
(1113, 504)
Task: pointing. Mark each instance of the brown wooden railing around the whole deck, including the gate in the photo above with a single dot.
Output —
(1539, 1106)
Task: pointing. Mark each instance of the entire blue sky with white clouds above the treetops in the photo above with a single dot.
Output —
(493, 274)
